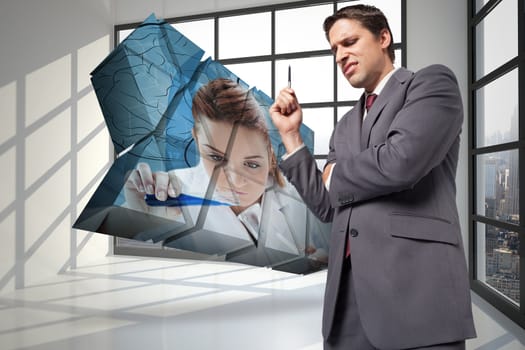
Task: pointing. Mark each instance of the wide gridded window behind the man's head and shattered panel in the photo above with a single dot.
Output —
(258, 44)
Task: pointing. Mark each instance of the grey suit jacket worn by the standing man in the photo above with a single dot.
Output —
(392, 193)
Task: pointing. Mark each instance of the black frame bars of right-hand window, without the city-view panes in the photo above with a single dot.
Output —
(515, 312)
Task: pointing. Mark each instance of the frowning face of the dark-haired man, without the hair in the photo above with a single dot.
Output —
(362, 57)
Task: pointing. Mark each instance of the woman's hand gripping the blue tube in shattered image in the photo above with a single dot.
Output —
(142, 181)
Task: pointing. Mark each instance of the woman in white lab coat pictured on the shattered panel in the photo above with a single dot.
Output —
(265, 222)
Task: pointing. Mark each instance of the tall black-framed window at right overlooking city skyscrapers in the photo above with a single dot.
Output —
(497, 153)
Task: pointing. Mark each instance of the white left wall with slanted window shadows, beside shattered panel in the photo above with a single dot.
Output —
(53, 142)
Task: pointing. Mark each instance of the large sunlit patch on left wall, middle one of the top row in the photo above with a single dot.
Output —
(47, 88)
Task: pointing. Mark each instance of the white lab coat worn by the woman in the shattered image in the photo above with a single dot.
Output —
(282, 221)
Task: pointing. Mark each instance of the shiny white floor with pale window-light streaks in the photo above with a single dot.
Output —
(136, 303)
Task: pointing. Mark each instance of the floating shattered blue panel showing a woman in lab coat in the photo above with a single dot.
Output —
(190, 181)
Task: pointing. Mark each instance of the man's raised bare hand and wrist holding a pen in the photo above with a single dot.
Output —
(287, 116)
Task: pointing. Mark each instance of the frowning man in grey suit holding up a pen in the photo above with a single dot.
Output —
(397, 275)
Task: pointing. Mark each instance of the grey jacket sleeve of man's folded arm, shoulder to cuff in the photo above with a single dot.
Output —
(418, 139)
